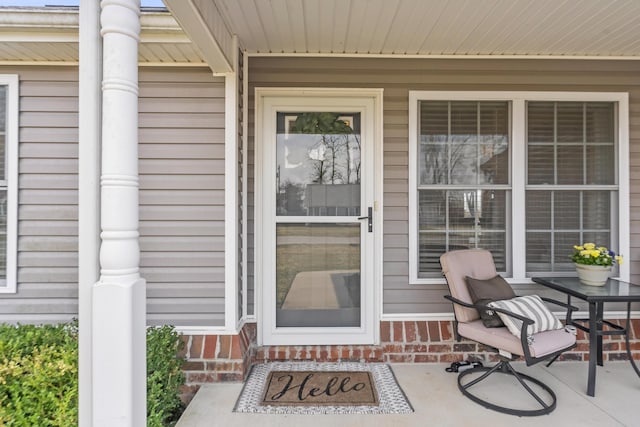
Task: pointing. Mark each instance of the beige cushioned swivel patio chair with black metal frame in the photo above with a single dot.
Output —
(521, 337)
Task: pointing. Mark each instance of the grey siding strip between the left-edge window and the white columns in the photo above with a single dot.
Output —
(48, 198)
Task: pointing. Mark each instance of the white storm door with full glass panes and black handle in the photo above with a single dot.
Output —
(316, 219)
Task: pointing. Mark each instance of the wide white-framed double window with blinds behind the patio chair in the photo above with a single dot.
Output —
(526, 175)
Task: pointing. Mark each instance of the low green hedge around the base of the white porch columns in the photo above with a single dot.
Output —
(39, 376)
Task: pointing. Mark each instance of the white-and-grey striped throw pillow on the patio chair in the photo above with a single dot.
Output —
(530, 306)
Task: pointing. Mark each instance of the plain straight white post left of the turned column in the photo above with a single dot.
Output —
(89, 128)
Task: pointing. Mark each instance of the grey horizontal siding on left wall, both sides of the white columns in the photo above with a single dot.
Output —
(181, 149)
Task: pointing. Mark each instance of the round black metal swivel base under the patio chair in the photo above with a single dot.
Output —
(504, 367)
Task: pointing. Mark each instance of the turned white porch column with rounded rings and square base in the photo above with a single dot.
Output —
(119, 312)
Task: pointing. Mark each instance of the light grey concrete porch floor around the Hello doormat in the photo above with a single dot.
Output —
(435, 397)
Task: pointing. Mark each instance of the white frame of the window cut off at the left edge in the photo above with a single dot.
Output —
(11, 183)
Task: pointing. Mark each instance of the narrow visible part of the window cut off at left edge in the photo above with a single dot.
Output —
(8, 181)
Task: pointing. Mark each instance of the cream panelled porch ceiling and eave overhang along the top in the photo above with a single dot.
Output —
(211, 32)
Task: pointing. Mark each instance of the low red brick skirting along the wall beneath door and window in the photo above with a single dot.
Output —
(228, 358)
